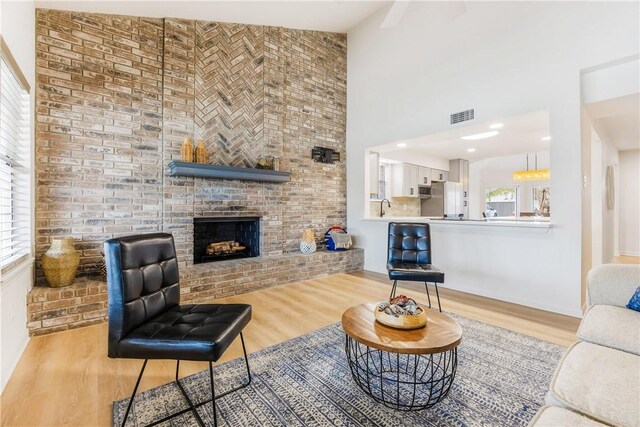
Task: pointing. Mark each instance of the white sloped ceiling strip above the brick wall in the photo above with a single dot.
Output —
(330, 15)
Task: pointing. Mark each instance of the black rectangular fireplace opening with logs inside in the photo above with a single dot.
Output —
(221, 238)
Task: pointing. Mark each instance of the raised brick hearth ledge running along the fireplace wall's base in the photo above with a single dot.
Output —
(85, 302)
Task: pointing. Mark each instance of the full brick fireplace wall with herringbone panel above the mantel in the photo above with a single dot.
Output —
(116, 95)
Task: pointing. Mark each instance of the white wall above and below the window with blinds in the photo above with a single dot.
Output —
(17, 26)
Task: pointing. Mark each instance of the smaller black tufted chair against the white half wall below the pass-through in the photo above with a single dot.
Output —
(409, 257)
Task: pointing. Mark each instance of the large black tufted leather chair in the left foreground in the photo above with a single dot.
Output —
(146, 320)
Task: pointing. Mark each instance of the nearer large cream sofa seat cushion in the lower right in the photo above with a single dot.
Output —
(599, 382)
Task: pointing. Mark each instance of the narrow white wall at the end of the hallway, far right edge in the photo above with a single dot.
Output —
(629, 190)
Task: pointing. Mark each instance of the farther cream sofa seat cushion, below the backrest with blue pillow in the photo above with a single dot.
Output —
(611, 326)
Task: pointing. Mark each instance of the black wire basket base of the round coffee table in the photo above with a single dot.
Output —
(406, 382)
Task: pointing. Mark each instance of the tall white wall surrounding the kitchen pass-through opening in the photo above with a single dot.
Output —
(503, 59)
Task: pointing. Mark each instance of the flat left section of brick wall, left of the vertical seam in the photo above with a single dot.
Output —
(98, 130)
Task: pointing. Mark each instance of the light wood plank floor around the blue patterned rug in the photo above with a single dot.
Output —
(67, 379)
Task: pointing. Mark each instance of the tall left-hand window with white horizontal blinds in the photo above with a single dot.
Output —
(15, 163)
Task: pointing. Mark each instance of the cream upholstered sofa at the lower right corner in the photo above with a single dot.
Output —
(597, 381)
